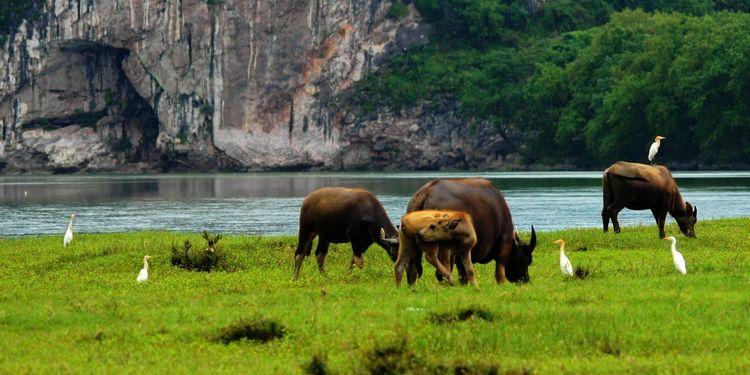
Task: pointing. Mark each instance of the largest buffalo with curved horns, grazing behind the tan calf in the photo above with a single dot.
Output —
(496, 237)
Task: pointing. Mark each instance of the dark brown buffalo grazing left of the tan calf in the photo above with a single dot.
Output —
(341, 215)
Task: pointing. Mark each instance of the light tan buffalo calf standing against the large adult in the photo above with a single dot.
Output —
(431, 231)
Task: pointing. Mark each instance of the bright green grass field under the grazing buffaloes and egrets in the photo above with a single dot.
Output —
(80, 309)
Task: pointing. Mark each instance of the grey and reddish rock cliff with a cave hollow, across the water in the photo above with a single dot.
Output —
(216, 85)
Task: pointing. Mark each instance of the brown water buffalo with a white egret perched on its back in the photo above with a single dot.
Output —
(644, 187)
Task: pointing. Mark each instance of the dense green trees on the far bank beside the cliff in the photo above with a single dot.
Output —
(587, 81)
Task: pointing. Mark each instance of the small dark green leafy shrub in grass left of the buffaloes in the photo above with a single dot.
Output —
(210, 259)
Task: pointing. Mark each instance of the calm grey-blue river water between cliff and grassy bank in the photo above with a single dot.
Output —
(269, 203)
